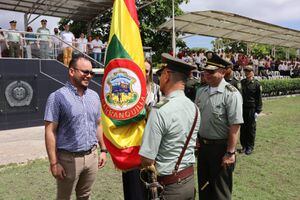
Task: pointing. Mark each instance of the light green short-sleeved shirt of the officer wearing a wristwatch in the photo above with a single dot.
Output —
(219, 110)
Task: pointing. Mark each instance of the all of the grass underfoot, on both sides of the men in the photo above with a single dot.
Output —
(271, 172)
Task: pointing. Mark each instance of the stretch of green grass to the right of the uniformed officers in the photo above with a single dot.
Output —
(273, 171)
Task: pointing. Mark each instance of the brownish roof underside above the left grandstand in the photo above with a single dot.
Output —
(72, 9)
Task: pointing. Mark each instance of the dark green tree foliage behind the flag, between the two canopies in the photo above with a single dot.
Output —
(150, 17)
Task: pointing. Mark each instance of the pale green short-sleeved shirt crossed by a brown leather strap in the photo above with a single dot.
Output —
(167, 128)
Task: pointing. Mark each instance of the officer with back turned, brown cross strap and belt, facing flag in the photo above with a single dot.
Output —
(171, 123)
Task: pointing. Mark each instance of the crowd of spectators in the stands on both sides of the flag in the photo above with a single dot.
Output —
(263, 67)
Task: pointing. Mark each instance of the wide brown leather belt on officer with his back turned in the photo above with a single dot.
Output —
(176, 178)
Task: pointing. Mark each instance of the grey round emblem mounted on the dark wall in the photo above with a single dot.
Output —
(18, 93)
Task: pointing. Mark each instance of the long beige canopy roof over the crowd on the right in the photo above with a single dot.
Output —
(235, 27)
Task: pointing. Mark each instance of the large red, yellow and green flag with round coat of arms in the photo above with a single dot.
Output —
(123, 92)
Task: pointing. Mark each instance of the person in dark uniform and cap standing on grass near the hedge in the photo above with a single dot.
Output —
(252, 106)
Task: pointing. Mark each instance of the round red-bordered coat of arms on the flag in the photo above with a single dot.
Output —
(123, 91)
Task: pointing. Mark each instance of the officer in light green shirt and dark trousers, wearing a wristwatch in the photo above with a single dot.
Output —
(220, 105)
